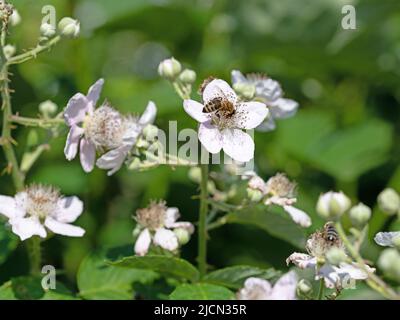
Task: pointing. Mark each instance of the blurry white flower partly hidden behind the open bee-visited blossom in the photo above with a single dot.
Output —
(268, 91)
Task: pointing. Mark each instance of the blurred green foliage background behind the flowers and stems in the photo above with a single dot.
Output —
(345, 135)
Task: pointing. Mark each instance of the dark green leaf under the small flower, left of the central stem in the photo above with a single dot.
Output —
(168, 266)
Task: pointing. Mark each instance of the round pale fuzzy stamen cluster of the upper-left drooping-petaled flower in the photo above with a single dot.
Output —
(104, 128)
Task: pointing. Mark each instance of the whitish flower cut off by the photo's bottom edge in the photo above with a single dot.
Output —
(260, 289)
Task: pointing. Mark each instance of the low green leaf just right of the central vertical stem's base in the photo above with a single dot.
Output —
(234, 277)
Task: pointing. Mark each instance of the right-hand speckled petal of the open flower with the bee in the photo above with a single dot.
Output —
(250, 115)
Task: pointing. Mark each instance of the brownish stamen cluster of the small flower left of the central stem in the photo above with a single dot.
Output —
(152, 217)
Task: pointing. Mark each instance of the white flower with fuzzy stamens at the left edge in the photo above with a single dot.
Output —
(37, 207)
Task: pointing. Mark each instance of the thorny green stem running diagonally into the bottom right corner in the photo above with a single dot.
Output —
(373, 280)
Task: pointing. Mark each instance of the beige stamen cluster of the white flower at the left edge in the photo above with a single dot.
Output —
(41, 201)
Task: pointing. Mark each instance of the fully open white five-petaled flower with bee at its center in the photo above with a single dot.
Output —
(223, 129)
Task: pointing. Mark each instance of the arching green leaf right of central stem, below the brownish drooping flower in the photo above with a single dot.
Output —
(271, 221)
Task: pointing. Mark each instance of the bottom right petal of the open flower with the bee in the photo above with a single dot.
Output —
(238, 145)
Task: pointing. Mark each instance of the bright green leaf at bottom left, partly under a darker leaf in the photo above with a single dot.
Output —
(98, 280)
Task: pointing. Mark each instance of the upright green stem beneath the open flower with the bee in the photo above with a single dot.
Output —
(202, 229)
